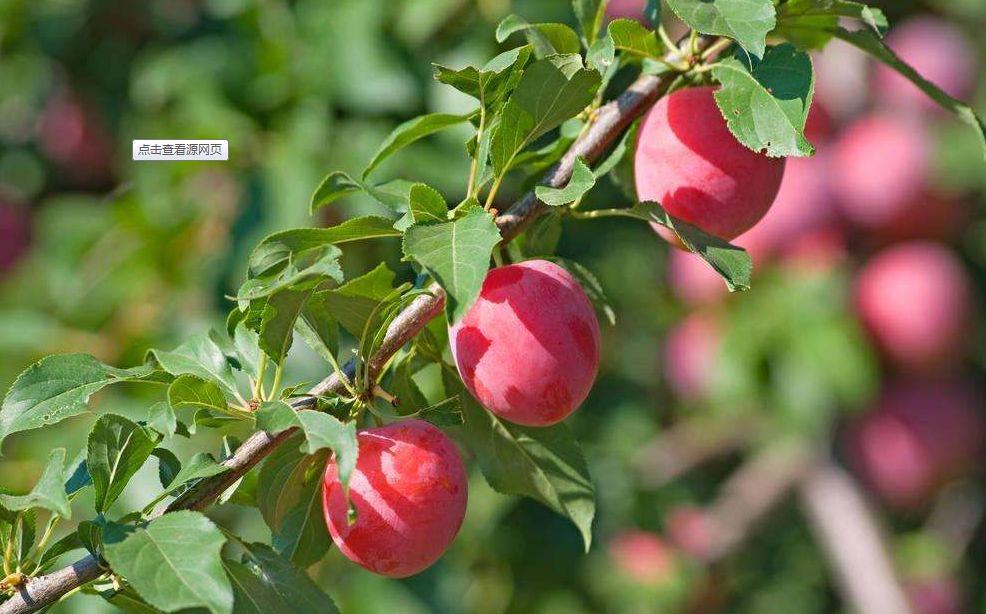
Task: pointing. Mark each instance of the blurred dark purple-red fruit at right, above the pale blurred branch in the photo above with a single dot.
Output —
(922, 434)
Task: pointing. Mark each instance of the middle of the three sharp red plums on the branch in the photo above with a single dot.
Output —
(528, 349)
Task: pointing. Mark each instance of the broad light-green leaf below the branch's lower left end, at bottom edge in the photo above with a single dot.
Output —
(173, 563)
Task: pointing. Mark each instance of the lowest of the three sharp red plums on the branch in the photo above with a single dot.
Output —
(409, 490)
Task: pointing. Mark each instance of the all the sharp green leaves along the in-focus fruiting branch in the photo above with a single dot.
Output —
(534, 100)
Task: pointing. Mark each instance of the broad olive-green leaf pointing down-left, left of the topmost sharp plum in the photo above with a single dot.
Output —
(550, 92)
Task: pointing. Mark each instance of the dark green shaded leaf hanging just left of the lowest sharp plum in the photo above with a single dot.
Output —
(289, 496)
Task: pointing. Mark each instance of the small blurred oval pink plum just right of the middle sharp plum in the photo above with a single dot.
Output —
(690, 356)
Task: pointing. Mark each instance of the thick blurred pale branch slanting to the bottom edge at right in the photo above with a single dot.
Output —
(850, 536)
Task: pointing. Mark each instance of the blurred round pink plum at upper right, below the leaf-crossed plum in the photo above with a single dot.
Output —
(879, 169)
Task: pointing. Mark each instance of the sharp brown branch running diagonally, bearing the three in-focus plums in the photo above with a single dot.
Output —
(609, 123)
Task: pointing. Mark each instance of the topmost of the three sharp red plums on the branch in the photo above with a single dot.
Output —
(688, 161)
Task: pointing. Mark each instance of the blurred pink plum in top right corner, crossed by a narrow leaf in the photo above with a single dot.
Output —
(937, 50)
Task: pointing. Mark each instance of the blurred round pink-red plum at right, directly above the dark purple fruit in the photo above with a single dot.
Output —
(915, 298)
